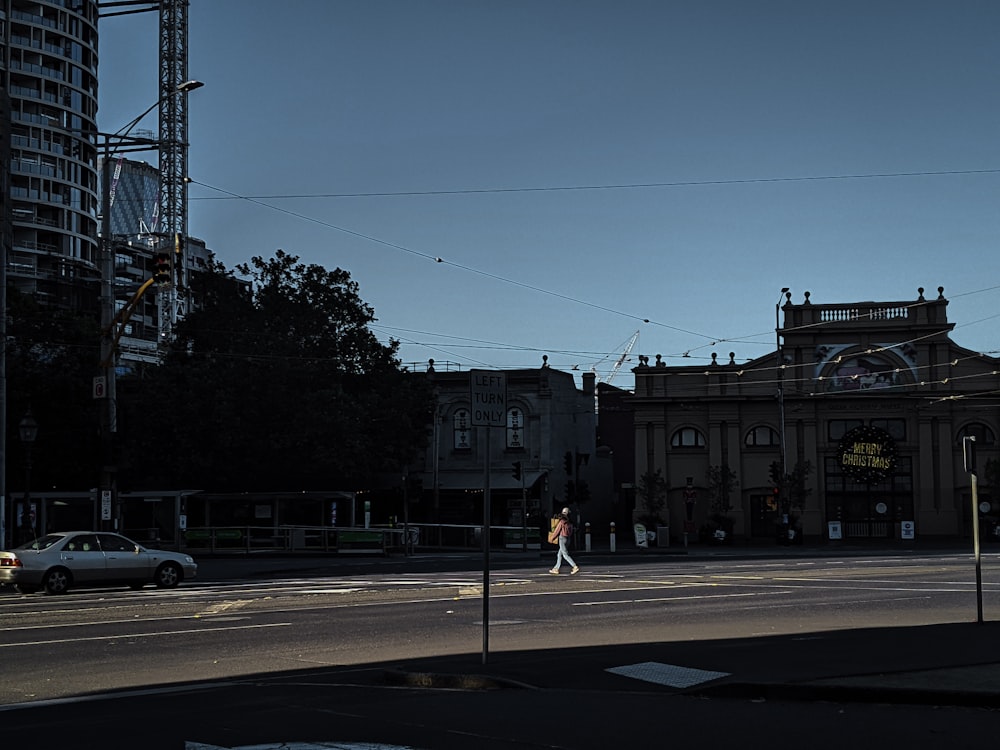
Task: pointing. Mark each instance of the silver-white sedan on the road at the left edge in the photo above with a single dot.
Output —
(60, 561)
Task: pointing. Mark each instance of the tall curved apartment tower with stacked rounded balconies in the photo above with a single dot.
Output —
(48, 94)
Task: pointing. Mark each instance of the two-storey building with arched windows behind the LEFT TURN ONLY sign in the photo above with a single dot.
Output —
(549, 434)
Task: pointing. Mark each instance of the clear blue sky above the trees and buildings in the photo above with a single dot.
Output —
(583, 166)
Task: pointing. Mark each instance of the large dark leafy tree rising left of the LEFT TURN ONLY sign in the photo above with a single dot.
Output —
(276, 384)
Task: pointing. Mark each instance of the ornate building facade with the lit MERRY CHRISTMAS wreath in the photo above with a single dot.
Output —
(854, 428)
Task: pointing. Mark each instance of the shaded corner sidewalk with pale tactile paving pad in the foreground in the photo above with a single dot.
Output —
(950, 665)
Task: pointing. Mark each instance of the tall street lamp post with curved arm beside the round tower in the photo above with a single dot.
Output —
(114, 143)
